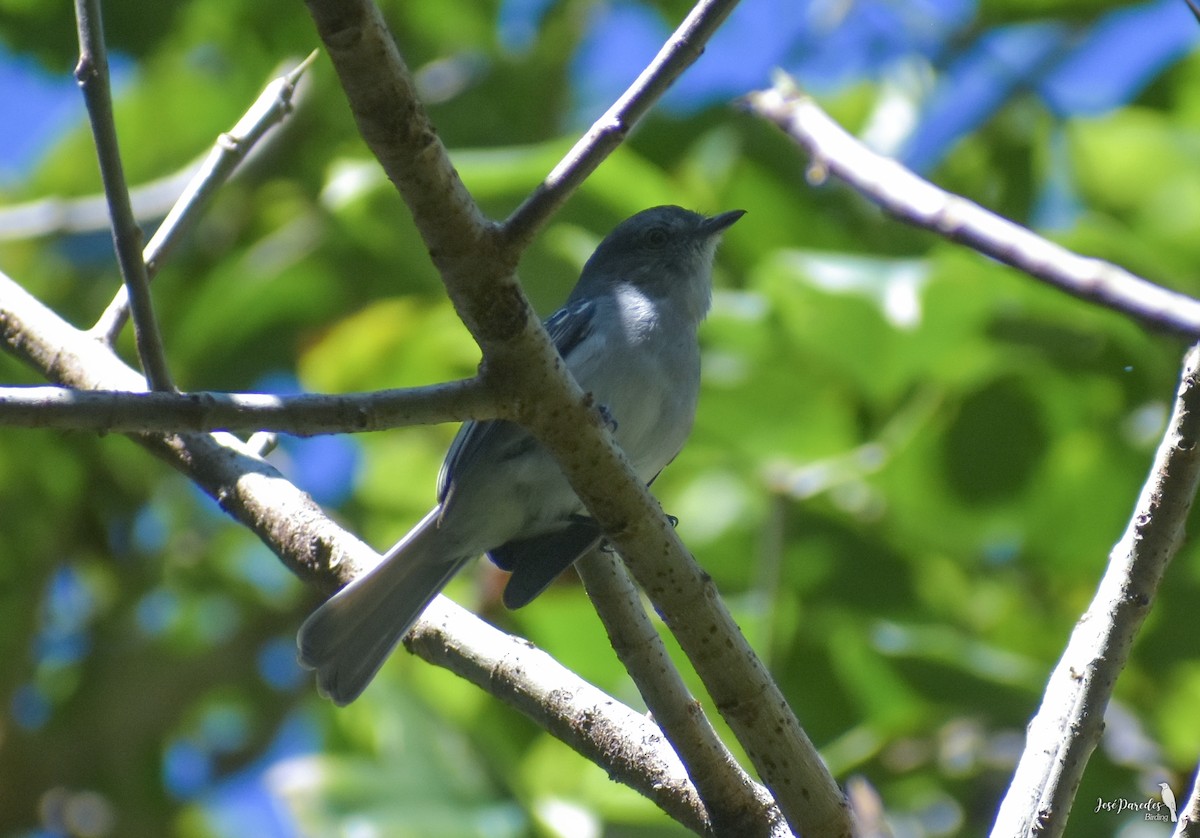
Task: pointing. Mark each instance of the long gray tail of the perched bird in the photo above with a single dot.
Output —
(349, 638)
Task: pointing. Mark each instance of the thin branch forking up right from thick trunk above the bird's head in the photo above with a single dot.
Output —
(681, 51)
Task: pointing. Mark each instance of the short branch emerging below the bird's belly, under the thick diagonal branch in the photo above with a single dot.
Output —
(737, 806)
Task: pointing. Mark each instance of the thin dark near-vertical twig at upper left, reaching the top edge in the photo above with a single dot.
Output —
(92, 74)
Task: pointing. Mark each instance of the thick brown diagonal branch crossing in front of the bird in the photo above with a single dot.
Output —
(477, 265)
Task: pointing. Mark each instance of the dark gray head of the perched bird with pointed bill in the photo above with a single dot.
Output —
(664, 252)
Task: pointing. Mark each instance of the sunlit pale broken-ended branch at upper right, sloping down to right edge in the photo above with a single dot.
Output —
(920, 203)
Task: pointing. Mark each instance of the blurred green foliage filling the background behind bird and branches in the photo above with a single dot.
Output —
(908, 470)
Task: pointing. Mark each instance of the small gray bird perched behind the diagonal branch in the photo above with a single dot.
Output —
(628, 333)
